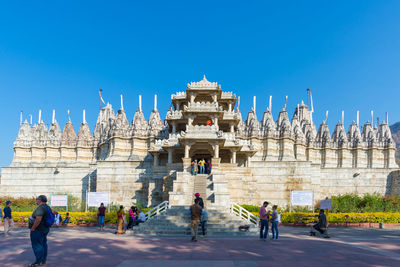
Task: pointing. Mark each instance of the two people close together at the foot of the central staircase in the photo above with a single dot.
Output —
(198, 215)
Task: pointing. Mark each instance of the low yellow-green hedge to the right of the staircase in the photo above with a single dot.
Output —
(368, 217)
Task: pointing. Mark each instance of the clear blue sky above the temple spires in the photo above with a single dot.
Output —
(56, 54)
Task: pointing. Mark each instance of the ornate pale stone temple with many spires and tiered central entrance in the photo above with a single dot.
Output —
(252, 160)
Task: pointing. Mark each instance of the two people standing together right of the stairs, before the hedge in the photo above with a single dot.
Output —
(267, 217)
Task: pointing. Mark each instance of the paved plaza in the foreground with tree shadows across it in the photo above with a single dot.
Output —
(89, 247)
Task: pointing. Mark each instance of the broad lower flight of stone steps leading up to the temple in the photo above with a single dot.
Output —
(176, 221)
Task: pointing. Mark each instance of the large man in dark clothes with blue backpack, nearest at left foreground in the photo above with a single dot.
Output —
(39, 230)
